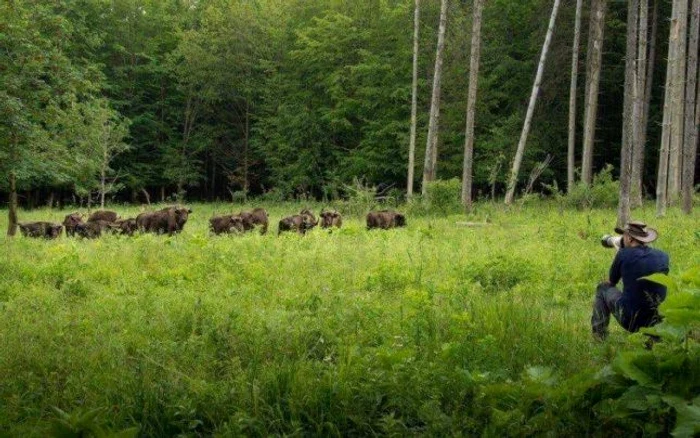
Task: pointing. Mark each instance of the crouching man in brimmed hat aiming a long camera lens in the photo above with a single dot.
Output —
(637, 305)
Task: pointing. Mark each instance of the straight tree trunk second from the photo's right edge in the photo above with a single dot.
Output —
(677, 98)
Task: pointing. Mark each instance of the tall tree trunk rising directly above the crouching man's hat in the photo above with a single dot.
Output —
(630, 113)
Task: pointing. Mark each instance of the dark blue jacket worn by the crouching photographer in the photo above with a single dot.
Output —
(640, 298)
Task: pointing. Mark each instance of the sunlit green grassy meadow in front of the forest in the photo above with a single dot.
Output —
(435, 329)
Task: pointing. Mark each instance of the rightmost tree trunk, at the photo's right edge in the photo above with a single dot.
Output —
(691, 125)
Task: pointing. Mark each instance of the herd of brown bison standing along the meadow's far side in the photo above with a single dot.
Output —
(171, 220)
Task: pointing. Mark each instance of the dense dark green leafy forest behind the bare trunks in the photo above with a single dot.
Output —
(147, 100)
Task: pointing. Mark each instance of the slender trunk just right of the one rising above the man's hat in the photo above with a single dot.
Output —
(647, 80)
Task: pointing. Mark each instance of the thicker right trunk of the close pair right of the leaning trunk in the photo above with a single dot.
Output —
(593, 67)
